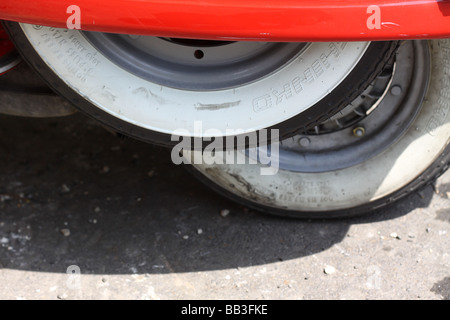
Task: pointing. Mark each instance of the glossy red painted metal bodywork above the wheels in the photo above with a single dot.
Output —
(274, 20)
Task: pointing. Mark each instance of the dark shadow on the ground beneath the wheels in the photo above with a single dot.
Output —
(72, 193)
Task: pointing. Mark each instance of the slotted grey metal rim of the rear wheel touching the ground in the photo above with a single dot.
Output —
(368, 125)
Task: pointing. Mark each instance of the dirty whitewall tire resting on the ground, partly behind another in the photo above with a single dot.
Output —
(413, 159)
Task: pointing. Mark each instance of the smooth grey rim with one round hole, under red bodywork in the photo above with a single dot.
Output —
(191, 64)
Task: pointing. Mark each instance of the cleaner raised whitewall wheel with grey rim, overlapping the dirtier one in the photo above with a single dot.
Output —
(151, 102)
